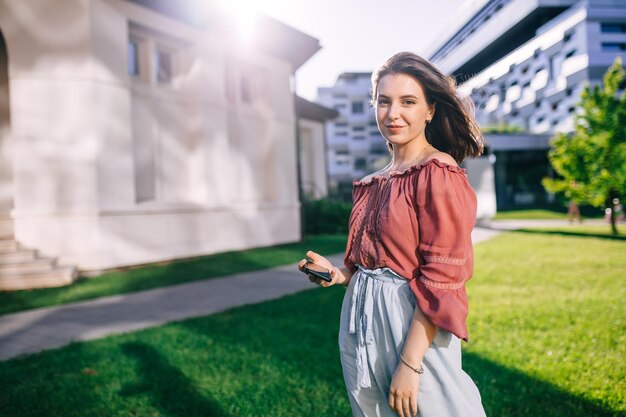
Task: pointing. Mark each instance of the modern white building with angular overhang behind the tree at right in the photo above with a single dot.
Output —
(524, 63)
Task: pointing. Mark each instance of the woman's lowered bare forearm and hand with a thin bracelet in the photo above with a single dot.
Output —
(405, 381)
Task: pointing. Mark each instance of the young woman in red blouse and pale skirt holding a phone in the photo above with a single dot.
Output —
(409, 252)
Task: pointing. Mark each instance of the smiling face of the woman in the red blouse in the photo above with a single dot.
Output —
(401, 108)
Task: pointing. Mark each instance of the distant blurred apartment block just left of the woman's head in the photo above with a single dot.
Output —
(355, 146)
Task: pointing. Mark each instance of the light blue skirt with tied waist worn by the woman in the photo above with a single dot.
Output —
(375, 317)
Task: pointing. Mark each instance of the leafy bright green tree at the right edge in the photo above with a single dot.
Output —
(592, 160)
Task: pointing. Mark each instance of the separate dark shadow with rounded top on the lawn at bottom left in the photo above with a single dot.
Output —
(167, 388)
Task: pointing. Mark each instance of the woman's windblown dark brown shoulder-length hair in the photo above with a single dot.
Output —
(453, 128)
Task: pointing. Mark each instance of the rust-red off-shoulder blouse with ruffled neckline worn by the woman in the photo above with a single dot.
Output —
(418, 223)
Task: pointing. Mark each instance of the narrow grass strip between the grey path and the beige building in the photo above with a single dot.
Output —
(178, 272)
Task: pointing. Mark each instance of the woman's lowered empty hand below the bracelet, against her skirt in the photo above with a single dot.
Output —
(403, 391)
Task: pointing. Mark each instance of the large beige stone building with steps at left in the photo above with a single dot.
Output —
(141, 131)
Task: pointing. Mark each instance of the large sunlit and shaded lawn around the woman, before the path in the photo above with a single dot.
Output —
(547, 329)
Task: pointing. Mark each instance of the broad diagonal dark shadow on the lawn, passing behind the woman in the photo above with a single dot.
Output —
(290, 333)
